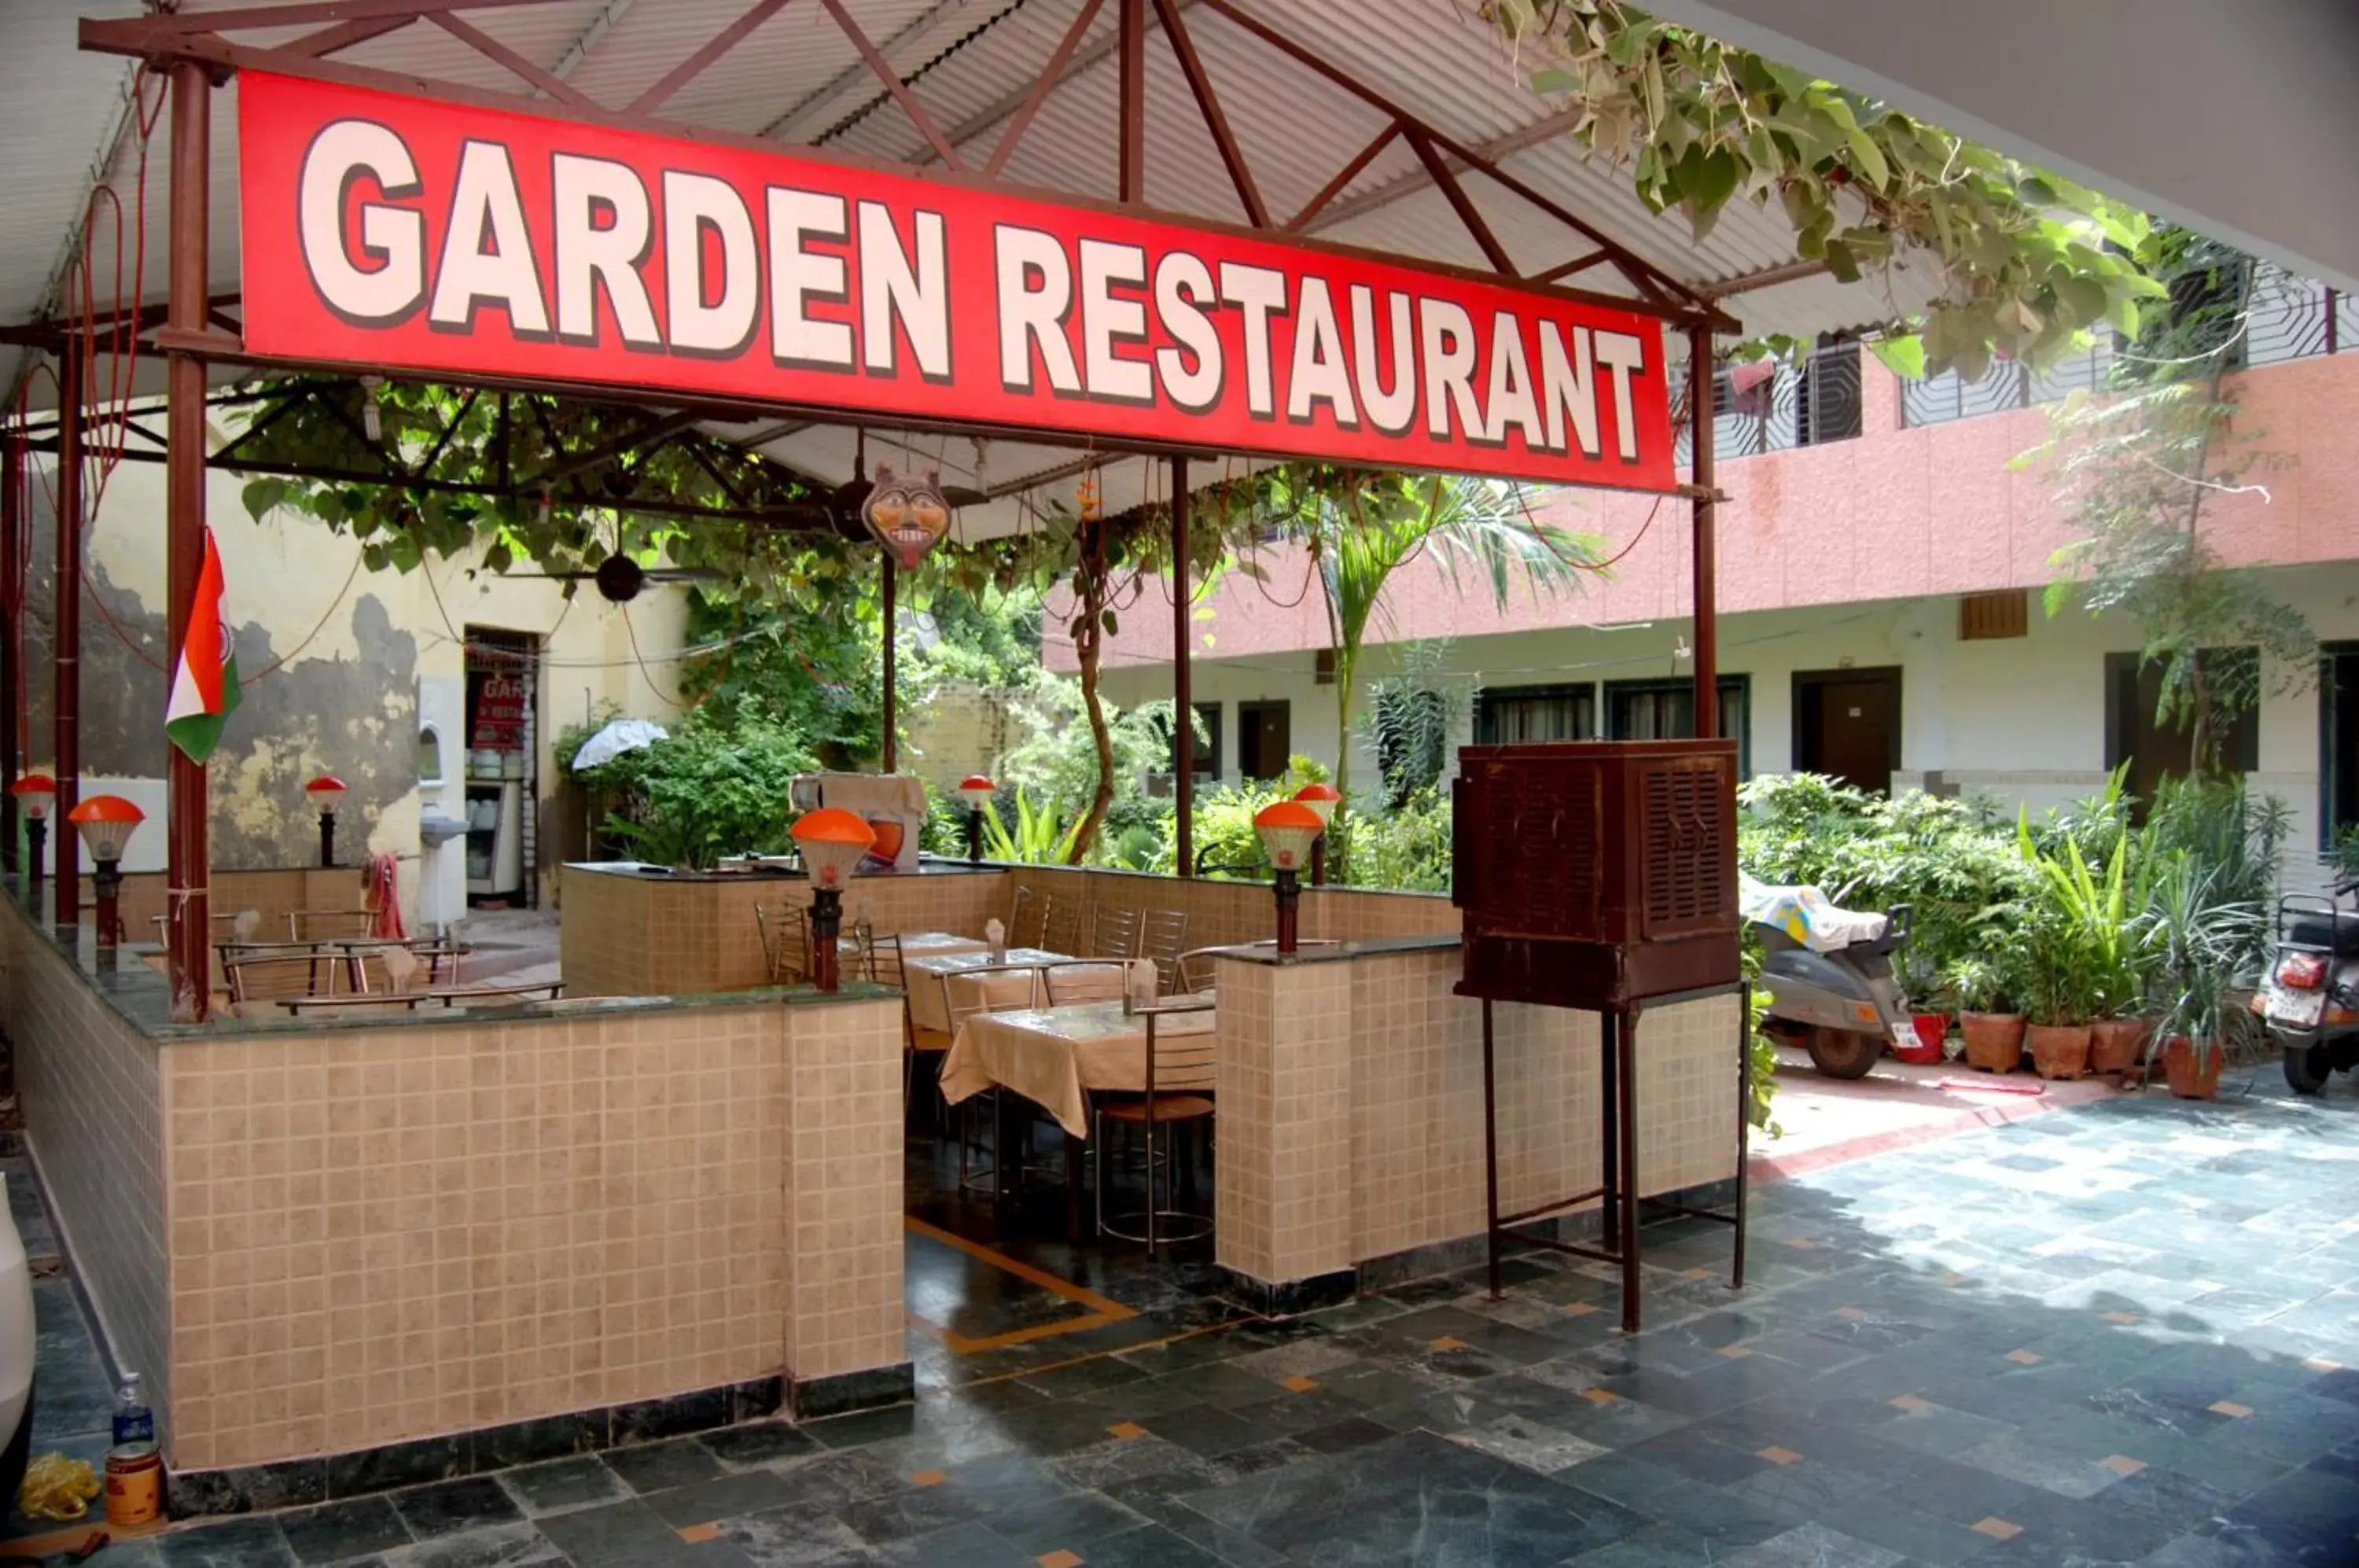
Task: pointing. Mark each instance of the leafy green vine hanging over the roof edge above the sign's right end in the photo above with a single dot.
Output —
(2025, 261)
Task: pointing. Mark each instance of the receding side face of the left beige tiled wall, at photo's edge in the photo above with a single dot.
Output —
(93, 1109)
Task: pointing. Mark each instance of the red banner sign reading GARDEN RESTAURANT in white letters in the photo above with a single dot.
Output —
(409, 235)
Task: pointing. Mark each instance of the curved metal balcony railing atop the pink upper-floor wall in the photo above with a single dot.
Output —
(2285, 319)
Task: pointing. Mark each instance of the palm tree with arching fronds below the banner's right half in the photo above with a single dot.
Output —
(1367, 527)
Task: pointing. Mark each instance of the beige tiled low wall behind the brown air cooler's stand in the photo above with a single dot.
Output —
(1351, 1109)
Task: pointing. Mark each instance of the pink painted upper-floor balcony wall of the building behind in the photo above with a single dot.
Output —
(1893, 515)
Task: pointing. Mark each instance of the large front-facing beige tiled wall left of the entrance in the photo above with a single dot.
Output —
(426, 1230)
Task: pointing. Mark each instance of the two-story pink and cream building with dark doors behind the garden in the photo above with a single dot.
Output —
(1881, 595)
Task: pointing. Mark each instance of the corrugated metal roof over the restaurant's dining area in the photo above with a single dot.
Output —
(801, 81)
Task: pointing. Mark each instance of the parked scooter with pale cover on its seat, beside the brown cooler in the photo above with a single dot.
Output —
(1829, 977)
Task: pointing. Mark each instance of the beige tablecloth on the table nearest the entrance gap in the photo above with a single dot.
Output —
(1056, 1055)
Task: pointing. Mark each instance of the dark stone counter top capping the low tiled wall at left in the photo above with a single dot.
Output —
(143, 996)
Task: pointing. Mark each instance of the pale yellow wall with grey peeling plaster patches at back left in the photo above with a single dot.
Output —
(346, 701)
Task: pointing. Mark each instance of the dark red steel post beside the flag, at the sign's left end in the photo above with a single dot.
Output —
(190, 874)
